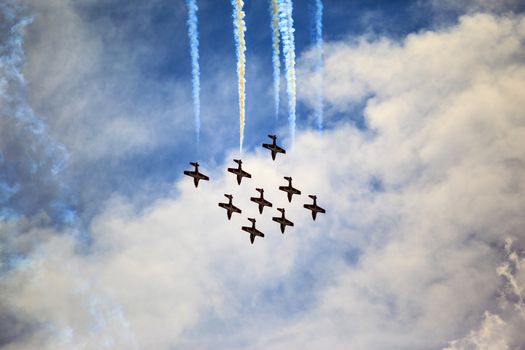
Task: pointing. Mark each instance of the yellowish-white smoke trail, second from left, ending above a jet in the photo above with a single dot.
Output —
(239, 27)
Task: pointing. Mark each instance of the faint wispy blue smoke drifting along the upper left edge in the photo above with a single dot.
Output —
(30, 159)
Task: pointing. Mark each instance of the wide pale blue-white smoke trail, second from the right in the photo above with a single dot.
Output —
(288, 42)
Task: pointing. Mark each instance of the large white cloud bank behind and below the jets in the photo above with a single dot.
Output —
(410, 265)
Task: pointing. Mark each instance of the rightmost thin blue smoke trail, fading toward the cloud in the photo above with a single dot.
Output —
(318, 41)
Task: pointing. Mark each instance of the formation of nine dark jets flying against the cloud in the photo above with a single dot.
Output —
(260, 200)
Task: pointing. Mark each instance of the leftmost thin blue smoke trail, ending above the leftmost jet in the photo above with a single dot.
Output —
(193, 34)
